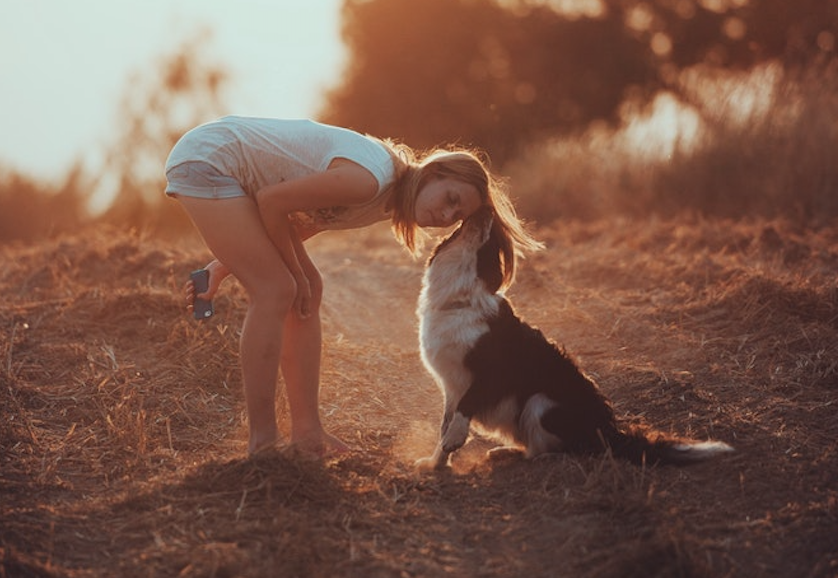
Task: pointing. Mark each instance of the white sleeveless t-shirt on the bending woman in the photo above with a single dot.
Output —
(260, 151)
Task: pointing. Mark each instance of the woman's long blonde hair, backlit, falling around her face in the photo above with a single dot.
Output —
(413, 173)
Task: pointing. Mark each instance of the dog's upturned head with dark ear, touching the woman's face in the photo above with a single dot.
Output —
(479, 248)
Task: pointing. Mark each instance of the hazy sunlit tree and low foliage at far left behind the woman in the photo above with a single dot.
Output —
(160, 103)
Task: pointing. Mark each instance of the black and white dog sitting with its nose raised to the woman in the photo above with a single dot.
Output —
(502, 375)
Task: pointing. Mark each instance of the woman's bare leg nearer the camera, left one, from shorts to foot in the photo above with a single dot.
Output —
(233, 231)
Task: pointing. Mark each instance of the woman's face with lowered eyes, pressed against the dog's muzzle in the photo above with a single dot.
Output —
(444, 202)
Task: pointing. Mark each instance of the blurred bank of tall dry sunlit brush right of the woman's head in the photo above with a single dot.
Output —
(759, 145)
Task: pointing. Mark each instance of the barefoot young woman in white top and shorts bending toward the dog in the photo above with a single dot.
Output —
(257, 188)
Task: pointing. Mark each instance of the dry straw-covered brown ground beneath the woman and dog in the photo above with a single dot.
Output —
(122, 438)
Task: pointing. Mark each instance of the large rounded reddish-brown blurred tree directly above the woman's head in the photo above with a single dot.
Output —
(444, 70)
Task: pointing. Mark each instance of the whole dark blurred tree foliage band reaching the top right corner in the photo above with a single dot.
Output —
(498, 74)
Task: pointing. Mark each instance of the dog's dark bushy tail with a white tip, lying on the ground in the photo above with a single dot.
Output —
(644, 446)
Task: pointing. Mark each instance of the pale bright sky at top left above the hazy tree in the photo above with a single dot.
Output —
(65, 64)
